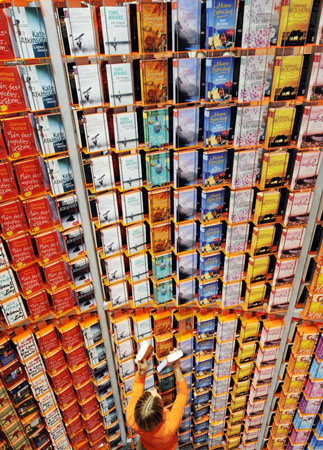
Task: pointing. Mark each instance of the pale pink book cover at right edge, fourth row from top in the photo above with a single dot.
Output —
(306, 169)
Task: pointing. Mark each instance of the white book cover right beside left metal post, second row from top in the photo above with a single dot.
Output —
(88, 85)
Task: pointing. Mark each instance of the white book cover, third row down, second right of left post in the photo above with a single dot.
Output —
(125, 130)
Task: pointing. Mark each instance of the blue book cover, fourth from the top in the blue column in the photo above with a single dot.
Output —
(214, 168)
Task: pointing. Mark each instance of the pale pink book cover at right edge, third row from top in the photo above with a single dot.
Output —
(310, 133)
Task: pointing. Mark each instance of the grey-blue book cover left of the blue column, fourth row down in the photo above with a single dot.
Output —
(185, 168)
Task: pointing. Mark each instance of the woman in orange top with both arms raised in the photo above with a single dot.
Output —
(146, 415)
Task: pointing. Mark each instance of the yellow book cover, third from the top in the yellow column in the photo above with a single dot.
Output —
(279, 128)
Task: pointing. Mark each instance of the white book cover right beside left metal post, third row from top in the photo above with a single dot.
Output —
(96, 131)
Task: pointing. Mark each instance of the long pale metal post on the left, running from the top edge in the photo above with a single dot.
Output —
(76, 163)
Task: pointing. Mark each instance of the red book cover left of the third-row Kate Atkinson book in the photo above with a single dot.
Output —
(19, 137)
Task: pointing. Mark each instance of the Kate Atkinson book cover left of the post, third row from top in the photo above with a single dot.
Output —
(51, 133)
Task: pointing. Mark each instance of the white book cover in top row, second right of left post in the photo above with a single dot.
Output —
(115, 30)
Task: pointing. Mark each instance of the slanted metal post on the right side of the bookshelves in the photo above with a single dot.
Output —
(289, 315)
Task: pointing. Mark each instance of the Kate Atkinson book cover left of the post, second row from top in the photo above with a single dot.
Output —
(40, 86)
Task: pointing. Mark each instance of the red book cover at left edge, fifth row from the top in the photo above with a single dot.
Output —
(12, 218)
